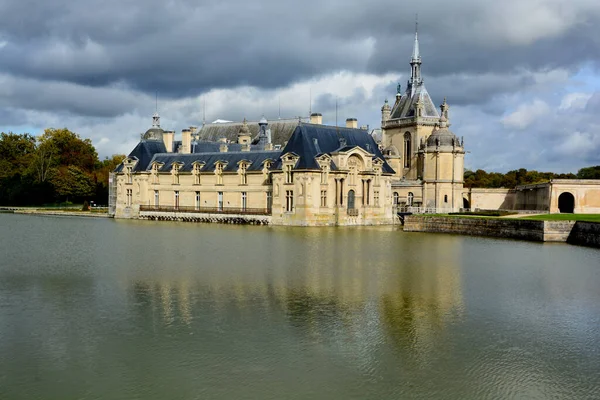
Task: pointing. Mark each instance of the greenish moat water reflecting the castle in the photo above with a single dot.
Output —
(104, 309)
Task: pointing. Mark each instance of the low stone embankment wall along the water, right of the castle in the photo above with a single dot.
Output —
(584, 233)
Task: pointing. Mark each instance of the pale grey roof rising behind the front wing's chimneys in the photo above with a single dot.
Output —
(281, 130)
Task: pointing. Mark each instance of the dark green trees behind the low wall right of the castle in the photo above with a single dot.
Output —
(483, 179)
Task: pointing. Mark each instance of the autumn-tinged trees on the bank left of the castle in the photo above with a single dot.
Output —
(58, 166)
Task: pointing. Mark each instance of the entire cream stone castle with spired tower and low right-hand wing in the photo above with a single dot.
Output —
(301, 172)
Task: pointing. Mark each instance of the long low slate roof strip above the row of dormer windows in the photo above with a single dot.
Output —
(209, 159)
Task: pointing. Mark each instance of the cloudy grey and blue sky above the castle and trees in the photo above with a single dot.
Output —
(522, 77)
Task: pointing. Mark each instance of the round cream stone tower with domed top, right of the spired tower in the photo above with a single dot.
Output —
(442, 163)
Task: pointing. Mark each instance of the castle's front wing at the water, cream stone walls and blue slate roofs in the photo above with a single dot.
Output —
(323, 176)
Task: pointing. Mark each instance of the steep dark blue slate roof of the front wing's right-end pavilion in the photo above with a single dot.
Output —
(310, 140)
